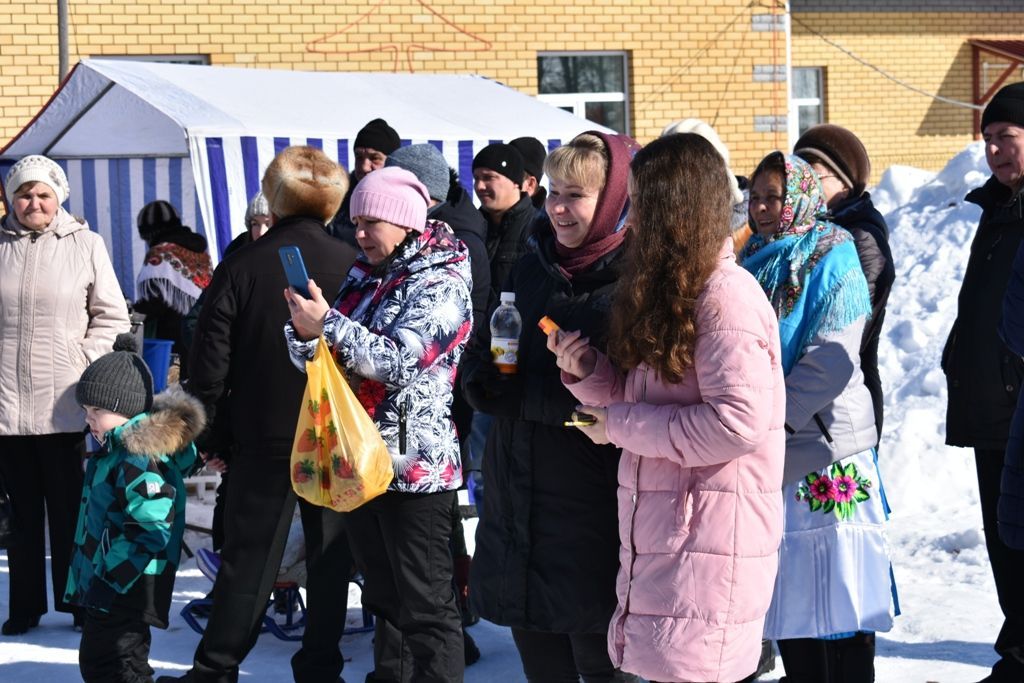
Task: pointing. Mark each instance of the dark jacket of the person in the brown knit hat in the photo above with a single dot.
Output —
(871, 236)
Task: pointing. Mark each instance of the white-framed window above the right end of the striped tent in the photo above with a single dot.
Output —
(592, 86)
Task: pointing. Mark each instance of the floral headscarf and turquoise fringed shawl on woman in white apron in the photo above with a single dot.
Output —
(809, 269)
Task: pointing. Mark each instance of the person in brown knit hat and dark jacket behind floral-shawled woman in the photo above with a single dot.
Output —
(842, 163)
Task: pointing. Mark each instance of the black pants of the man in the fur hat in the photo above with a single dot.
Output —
(258, 517)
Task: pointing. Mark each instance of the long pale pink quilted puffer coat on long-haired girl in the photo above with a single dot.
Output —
(700, 491)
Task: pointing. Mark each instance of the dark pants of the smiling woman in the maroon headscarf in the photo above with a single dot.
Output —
(567, 658)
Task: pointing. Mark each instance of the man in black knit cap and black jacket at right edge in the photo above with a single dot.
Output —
(984, 376)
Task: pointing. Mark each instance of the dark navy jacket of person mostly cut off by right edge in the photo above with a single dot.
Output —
(1011, 506)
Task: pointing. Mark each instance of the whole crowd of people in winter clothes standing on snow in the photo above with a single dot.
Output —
(685, 472)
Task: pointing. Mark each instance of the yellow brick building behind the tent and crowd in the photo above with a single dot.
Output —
(633, 65)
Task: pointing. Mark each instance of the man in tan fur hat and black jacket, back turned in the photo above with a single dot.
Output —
(239, 352)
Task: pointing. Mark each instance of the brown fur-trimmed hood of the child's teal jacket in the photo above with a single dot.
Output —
(175, 421)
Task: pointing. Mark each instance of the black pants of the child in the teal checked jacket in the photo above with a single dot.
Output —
(114, 650)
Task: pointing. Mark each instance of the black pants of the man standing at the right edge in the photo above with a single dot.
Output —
(1008, 570)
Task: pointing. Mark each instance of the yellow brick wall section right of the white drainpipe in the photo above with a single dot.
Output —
(926, 51)
